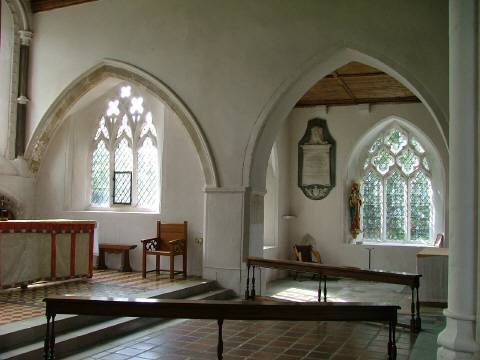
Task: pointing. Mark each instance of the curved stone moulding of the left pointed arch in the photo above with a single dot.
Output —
(108, 68)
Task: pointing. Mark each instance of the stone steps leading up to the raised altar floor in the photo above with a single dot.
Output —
(25, 340)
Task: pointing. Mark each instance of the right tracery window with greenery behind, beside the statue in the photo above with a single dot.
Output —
(396, 188)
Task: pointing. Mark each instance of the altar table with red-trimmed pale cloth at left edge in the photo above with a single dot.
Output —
(34, 250)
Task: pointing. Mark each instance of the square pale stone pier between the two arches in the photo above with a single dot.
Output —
(233, 231)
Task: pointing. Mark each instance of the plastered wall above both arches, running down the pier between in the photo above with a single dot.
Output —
(230, 62)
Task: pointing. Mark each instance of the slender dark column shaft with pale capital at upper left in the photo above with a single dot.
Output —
(22, 99)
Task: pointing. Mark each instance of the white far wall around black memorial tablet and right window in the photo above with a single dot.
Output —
(327, 220)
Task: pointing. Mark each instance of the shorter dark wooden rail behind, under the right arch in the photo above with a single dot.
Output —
(401, 278)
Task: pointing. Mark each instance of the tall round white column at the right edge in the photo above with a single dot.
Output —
(457, 340)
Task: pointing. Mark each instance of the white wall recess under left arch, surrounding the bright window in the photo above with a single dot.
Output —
(63, 182)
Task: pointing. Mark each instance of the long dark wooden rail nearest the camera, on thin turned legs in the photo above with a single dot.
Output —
(218, 310)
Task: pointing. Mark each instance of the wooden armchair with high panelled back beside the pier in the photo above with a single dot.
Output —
(171, 241)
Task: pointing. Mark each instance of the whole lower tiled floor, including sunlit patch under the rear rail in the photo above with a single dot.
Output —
(197, 339)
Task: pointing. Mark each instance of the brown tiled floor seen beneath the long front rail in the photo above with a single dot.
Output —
(280, 340)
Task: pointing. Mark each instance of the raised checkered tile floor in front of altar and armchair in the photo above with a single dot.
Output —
(18, 304)
